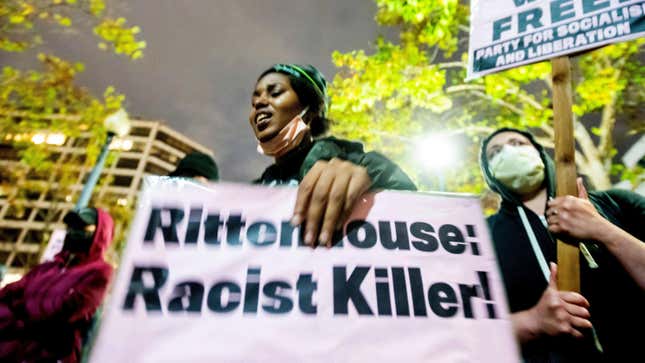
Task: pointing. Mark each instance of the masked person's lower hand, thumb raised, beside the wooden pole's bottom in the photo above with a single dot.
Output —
(556, 313)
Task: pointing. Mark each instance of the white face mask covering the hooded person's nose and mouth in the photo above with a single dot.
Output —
(519, 168)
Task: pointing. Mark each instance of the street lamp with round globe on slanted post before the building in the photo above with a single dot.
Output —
(117, 124)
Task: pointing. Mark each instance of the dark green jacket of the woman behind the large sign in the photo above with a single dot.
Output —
(295, 165)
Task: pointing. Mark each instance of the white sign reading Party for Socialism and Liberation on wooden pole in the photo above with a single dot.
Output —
(508, 33)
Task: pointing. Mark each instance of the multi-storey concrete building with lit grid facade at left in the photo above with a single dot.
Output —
(29, 212)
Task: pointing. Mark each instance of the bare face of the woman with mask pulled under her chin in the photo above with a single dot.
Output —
(273, 104)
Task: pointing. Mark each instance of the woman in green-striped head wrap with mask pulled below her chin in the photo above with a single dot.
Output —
(289, 118)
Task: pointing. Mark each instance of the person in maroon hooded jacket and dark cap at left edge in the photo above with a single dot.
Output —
(44, 315)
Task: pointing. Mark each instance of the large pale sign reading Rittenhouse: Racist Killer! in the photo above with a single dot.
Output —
(217, 274)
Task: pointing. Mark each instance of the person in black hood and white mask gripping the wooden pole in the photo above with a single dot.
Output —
(604, 322)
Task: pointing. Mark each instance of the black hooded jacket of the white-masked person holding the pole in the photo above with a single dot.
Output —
(617, 302)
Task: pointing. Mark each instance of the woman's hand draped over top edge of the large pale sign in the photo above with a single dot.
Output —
(326, 197)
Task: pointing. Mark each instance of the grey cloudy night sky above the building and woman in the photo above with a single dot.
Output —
(203, 57)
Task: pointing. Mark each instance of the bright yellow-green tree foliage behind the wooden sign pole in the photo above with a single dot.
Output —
(391, 93)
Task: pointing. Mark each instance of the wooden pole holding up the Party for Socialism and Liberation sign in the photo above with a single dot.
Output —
(565, 165)
